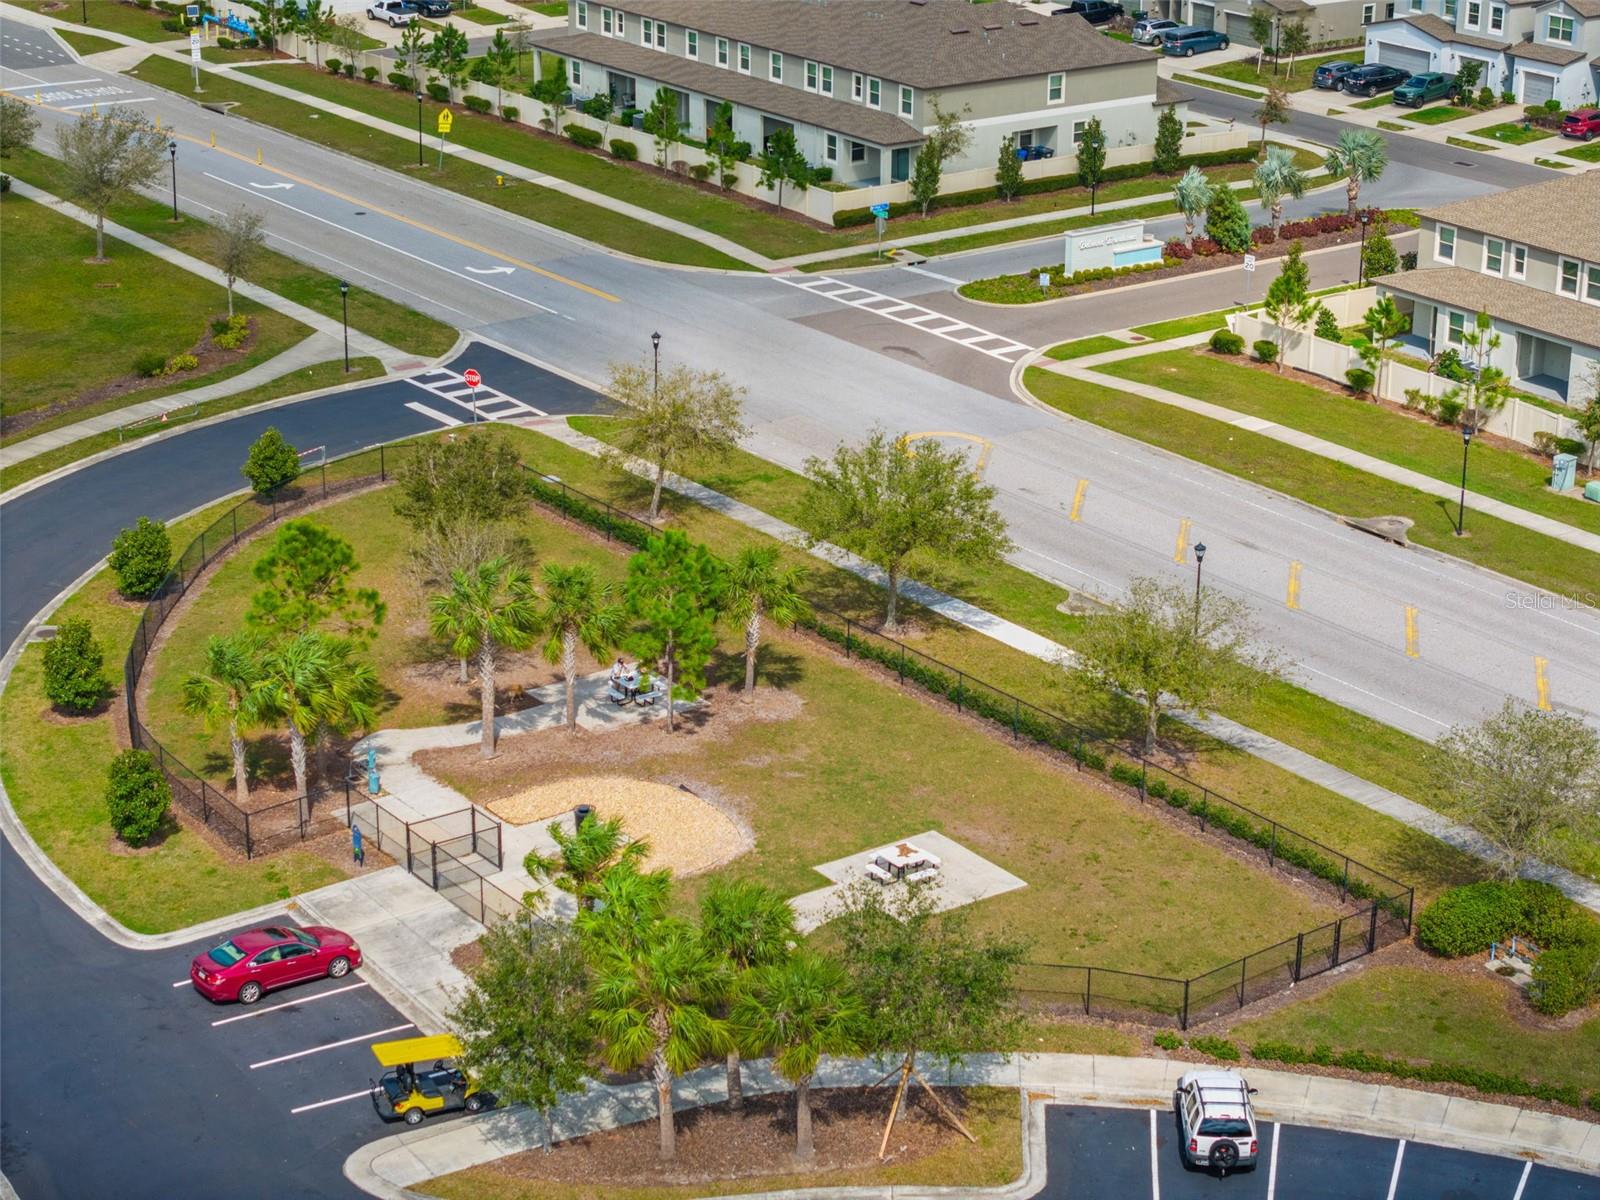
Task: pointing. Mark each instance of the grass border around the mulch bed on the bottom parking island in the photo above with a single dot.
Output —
(993, 1162)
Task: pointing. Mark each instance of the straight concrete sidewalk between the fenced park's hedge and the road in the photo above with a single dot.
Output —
(1015, 636)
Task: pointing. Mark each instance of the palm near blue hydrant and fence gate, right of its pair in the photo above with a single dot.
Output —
(310, 682)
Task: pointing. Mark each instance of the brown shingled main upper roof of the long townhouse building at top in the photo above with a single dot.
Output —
(937, 44)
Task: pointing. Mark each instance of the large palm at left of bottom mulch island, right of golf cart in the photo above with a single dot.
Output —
(654, 1006)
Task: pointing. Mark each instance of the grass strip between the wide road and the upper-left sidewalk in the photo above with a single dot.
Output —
(372, 314)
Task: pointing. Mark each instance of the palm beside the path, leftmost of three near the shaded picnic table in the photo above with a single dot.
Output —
(486, 609)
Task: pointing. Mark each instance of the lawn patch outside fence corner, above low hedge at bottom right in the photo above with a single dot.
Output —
(1433, 1017)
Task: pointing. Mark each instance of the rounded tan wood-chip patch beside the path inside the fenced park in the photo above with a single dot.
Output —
(686, 833)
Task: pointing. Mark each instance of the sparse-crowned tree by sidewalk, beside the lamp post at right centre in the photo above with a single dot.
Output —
(1164, 647)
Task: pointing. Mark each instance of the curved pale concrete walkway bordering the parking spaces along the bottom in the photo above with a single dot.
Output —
(391, 1166)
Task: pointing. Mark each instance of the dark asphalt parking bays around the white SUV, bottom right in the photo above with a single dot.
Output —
(1135, 1156)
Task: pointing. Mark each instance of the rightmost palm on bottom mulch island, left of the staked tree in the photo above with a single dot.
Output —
(801, 1009)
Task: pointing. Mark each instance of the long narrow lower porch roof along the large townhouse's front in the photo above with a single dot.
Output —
(854, 121)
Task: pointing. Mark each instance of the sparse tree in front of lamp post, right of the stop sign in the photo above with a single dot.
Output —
(690, 415)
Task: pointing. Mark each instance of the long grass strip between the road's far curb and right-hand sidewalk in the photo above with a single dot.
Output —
(1337, 487)
